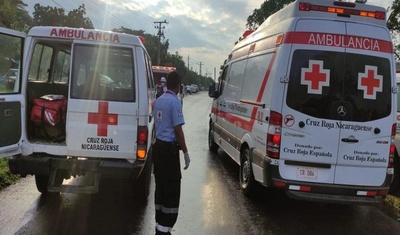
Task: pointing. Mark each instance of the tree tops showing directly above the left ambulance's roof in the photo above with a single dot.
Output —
(53, 16)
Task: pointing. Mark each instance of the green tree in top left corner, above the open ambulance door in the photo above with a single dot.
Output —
(14, 16)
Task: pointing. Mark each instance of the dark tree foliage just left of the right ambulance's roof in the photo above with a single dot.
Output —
(267, 8)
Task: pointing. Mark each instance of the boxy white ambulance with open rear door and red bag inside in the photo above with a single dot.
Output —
(105, 80)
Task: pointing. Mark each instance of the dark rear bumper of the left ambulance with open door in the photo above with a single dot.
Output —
(107, 168)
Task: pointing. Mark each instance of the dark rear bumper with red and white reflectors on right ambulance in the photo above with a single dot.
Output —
(329, 193)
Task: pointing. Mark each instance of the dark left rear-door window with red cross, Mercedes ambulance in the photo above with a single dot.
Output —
(315, 96)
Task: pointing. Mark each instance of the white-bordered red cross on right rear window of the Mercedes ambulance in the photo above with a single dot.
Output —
(370, 82)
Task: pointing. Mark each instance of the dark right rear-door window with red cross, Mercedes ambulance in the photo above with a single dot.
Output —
(367, 87)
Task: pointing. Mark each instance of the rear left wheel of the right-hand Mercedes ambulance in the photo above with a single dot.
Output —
(247, 182)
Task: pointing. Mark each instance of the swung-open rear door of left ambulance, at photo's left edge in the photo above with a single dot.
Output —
(12, 100)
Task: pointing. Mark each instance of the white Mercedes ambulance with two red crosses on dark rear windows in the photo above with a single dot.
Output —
(307, 103)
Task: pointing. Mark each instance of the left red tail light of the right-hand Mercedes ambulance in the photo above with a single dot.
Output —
(274, 135)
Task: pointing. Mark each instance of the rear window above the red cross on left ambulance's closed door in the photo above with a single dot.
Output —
(103, 73)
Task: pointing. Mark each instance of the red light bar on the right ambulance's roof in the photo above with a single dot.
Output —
(379, 15)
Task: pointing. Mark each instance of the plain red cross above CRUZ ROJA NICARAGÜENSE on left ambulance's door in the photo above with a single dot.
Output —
(102, 119)
